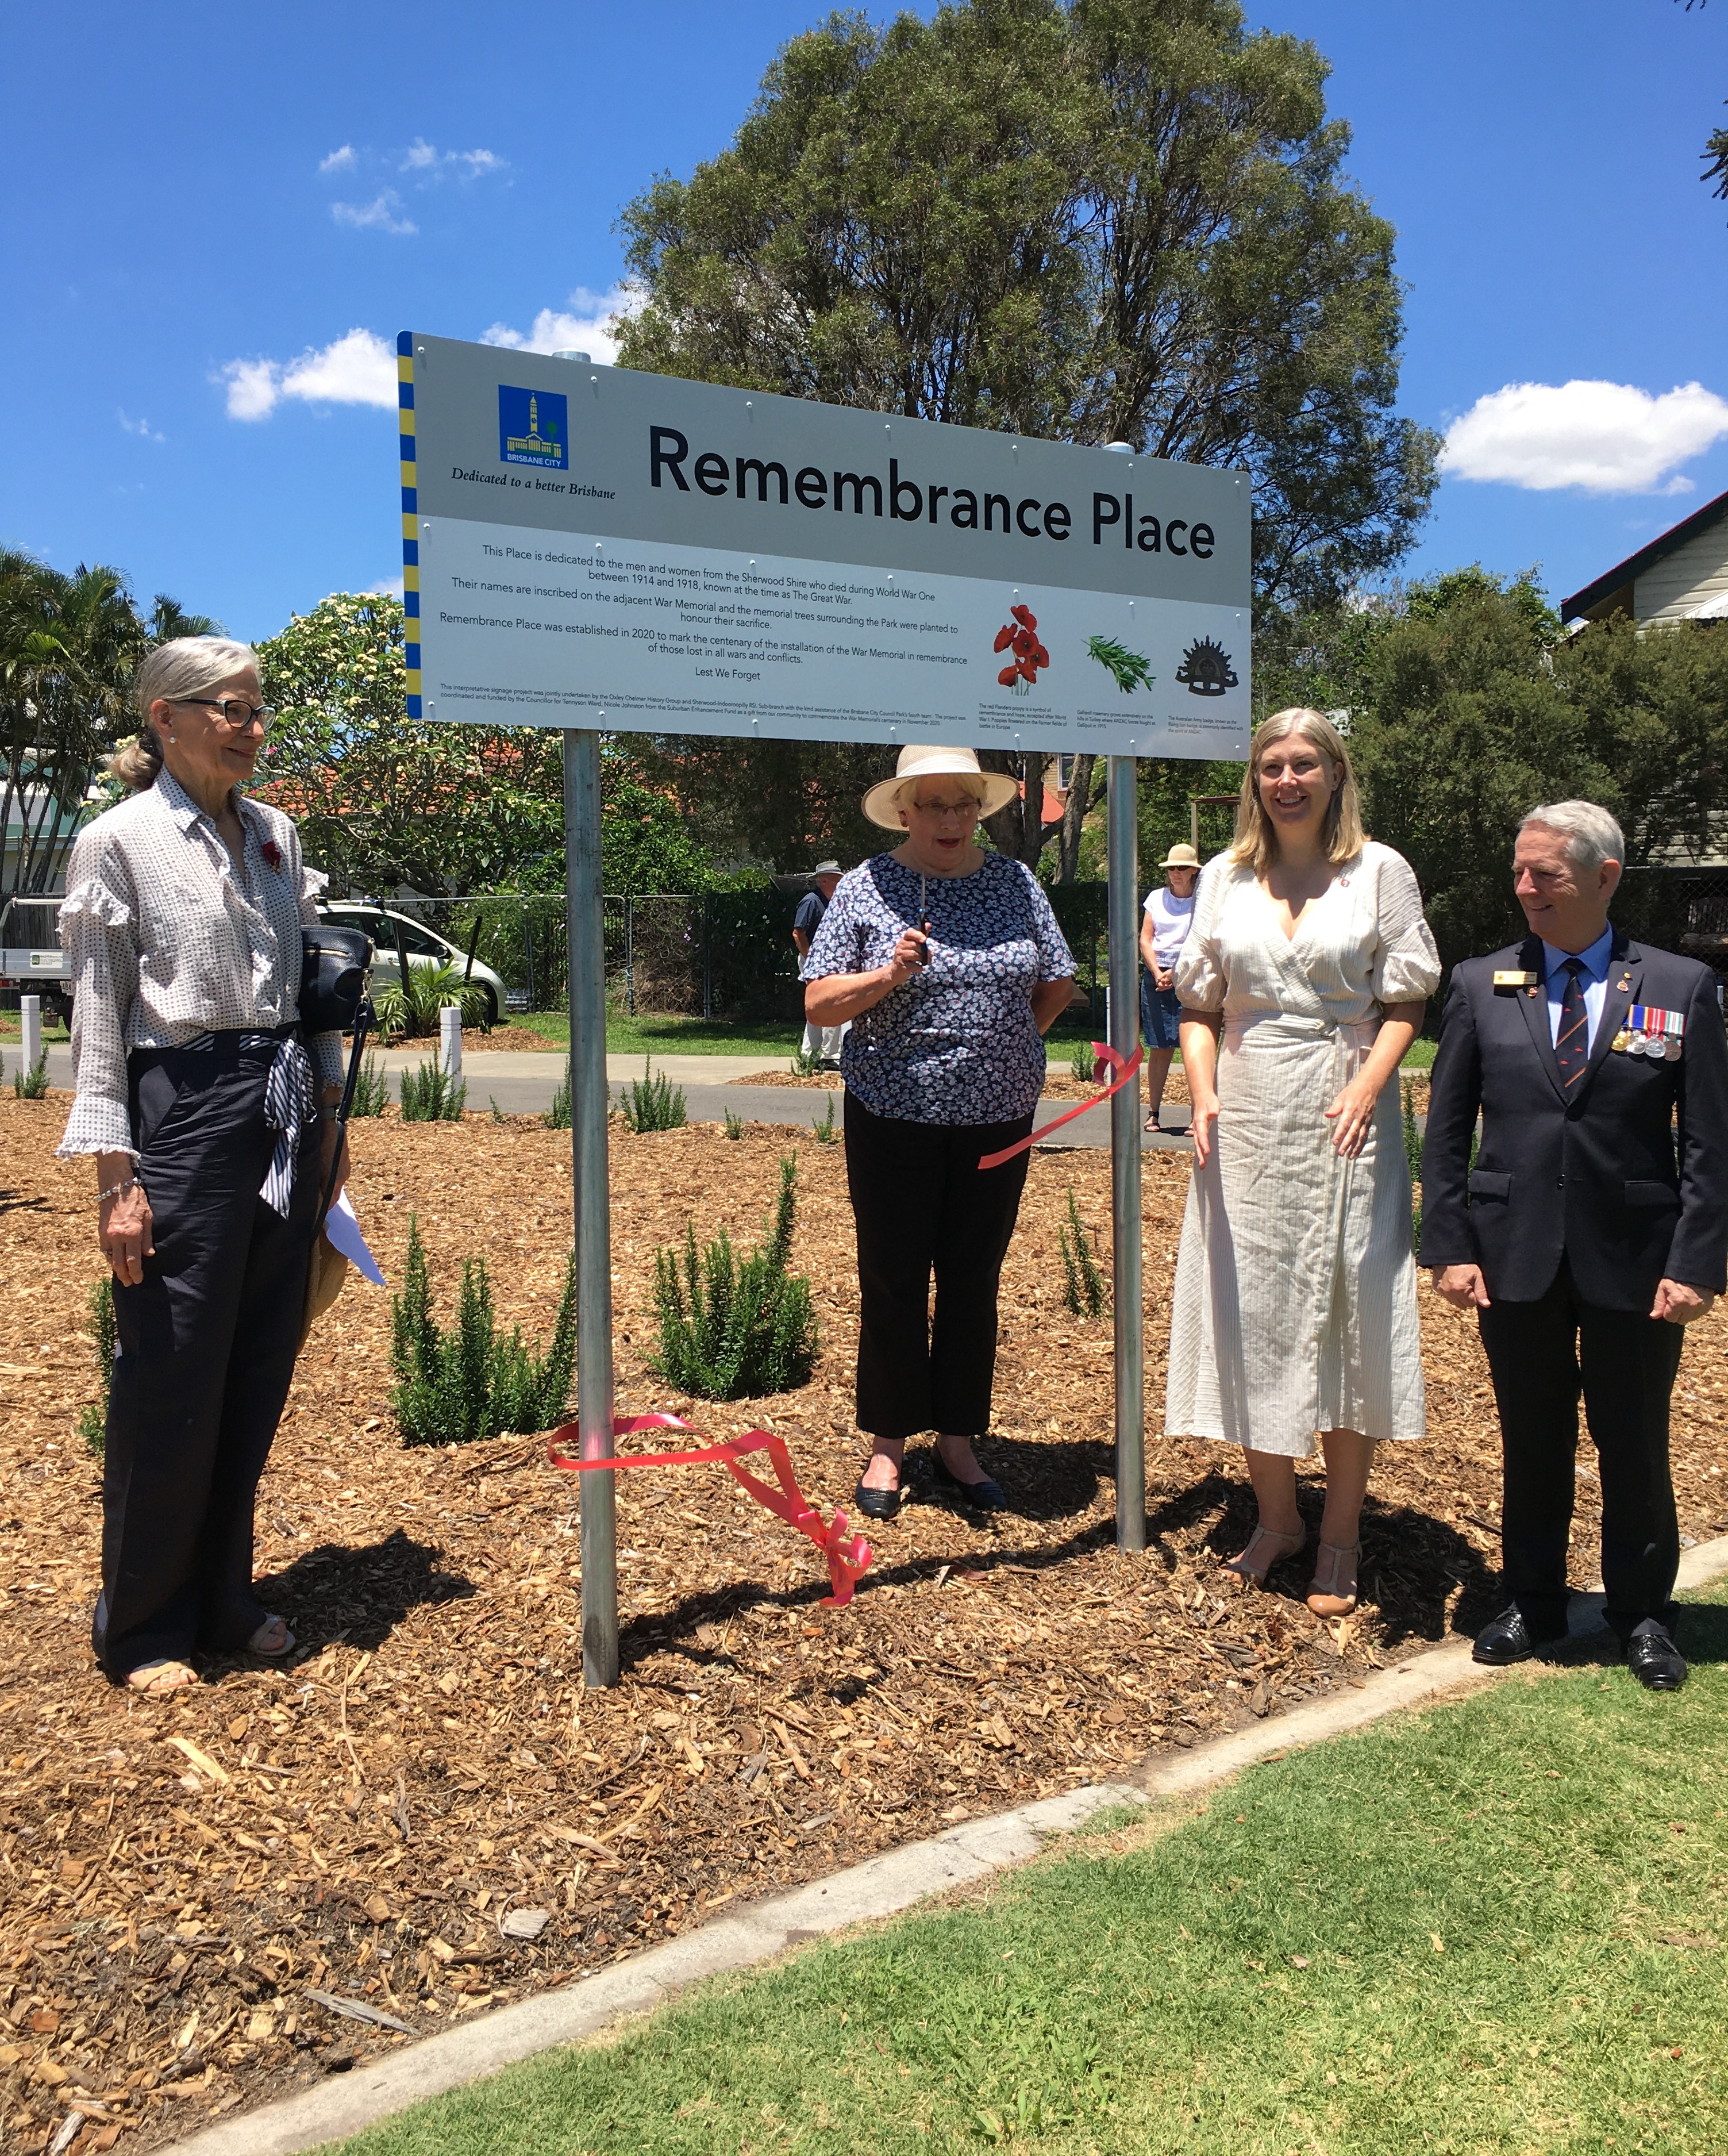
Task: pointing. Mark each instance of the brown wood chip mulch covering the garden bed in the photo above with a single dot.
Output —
(428, 1814)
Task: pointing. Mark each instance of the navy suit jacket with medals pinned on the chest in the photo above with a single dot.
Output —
(1628, 1180)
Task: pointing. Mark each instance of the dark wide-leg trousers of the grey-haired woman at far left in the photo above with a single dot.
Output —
(206, 1355)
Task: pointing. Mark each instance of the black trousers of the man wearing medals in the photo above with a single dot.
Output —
(1544, 1355)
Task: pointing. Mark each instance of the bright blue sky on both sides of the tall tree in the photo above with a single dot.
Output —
(201, 204)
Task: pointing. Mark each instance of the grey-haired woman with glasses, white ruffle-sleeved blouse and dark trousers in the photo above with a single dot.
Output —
(212, 1137)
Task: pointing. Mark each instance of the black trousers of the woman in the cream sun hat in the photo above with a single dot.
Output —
(923, 1208)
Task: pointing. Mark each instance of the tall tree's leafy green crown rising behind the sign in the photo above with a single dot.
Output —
(1100, 221)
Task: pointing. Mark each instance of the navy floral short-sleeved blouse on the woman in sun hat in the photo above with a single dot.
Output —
(953, 1045)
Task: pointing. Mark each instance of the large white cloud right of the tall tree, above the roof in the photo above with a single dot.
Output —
(1598, 437)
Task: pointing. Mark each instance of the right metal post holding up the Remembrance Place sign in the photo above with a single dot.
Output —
(1124, 872)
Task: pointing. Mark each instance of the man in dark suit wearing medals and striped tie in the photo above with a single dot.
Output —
(1591, 1230)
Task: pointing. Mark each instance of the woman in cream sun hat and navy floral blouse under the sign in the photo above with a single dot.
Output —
(951, 969)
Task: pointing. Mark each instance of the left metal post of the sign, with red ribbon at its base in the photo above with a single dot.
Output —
(594, 1217)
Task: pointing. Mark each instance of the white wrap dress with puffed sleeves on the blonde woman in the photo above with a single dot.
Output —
(1296, 1280)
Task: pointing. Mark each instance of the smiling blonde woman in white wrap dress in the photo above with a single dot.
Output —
(1296, 1284)
